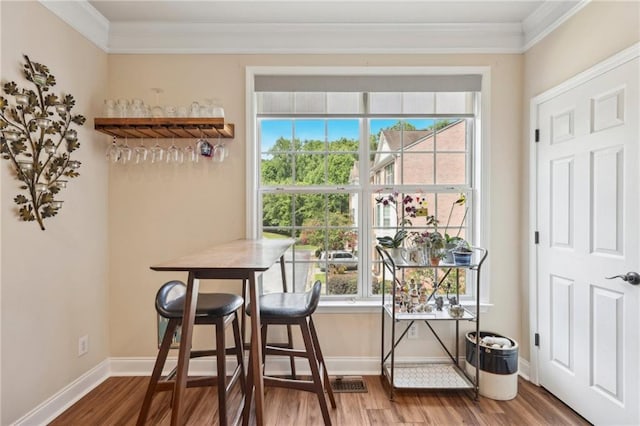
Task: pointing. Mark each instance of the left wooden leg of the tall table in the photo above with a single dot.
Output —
(190, 302)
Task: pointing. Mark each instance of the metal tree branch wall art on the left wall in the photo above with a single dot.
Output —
(38, 140)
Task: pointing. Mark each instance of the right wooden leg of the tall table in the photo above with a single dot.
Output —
(256, 350)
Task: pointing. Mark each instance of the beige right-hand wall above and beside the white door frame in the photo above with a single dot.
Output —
(595, 33)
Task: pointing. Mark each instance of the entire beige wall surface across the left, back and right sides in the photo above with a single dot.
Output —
(57, 285)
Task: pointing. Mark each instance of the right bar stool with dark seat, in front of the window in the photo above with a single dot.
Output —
(296, 309)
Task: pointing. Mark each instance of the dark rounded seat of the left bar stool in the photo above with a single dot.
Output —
(170, 302)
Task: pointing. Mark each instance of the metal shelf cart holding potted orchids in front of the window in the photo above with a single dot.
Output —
(427, 375)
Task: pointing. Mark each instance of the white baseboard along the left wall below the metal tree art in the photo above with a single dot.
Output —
(66, 397)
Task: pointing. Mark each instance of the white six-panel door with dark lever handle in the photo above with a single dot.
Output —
(588, 187)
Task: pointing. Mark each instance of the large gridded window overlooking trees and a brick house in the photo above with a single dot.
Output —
(328, 159)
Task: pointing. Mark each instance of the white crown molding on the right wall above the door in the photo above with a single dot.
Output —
(547, 18)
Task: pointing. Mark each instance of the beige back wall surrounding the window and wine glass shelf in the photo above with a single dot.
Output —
(157, 214)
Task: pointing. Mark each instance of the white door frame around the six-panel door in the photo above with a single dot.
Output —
(600, 68)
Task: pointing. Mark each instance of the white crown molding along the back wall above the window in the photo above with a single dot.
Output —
(314, 38)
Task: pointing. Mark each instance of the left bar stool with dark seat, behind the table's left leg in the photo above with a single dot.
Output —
(218, 309)
